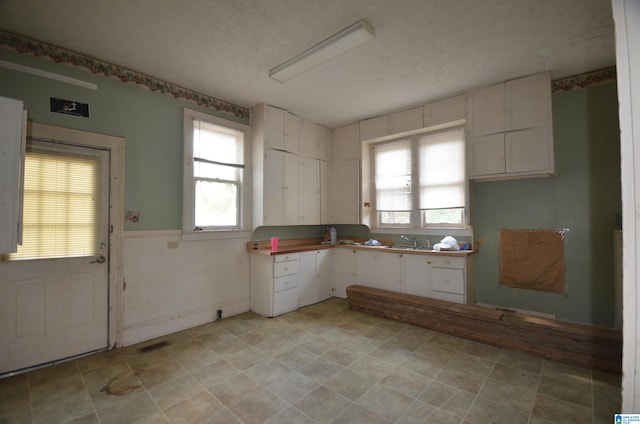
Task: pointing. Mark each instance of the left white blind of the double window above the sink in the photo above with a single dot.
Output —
(393, 176)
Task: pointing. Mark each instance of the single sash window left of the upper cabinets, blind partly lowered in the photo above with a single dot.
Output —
(214, 173)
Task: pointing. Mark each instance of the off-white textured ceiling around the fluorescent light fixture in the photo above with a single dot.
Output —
(424, 50)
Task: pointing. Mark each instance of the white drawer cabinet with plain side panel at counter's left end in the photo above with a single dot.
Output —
(274, 284)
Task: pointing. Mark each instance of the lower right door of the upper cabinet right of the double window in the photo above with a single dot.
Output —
(529, 151)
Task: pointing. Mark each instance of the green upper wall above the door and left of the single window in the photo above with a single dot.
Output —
(151, 124)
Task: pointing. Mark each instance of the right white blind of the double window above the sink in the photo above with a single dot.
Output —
(442, 170)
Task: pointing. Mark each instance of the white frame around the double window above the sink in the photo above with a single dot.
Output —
(417, 216)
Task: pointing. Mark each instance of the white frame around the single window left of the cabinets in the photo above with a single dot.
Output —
(189, 229)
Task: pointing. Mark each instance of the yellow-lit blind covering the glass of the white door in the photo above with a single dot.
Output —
(60, 209)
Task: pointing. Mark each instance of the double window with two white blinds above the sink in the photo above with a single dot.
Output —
(420, 181)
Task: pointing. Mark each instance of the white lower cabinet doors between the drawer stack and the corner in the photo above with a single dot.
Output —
(315, 277)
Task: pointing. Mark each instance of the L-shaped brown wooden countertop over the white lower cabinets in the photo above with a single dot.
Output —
(309, 245)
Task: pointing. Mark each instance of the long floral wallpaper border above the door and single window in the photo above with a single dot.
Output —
(26, 45)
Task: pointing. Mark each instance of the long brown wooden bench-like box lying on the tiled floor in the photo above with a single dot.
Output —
(575, 344)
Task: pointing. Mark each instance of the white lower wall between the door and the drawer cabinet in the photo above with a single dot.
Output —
(173, 284)
